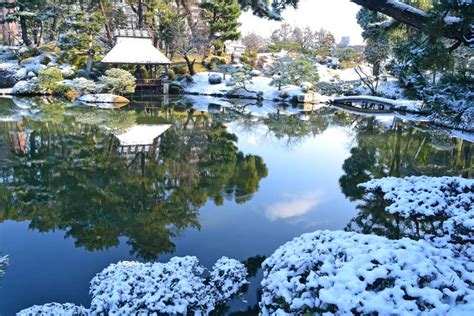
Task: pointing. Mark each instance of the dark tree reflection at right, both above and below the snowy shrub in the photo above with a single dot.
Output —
(399, 151)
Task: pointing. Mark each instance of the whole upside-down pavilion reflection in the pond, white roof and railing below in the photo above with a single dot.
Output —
(140, 139)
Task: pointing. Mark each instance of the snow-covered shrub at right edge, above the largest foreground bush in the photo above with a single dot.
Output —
(441, 204)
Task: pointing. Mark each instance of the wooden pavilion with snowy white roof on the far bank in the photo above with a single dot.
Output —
(135, 47)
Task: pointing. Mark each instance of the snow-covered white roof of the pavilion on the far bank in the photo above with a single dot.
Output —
(134, 47)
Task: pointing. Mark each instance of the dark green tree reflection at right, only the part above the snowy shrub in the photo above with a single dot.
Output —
(400, 151)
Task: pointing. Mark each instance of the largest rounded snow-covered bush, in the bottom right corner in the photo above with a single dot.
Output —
(347, 273)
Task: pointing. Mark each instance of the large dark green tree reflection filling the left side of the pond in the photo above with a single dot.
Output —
(73, 179)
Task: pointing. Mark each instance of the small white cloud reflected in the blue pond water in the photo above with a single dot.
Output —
(293, 206)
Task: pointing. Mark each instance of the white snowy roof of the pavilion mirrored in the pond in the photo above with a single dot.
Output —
(142, 134)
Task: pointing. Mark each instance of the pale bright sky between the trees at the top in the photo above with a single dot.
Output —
(337, 16)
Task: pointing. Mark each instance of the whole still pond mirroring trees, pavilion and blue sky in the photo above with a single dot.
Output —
(83, 187)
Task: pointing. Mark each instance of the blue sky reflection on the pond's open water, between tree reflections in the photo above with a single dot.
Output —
(300, 194)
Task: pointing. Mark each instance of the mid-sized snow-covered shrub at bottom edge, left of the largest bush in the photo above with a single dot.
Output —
(174, 287)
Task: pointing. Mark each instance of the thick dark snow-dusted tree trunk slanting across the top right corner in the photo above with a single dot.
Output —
(416, 18)
